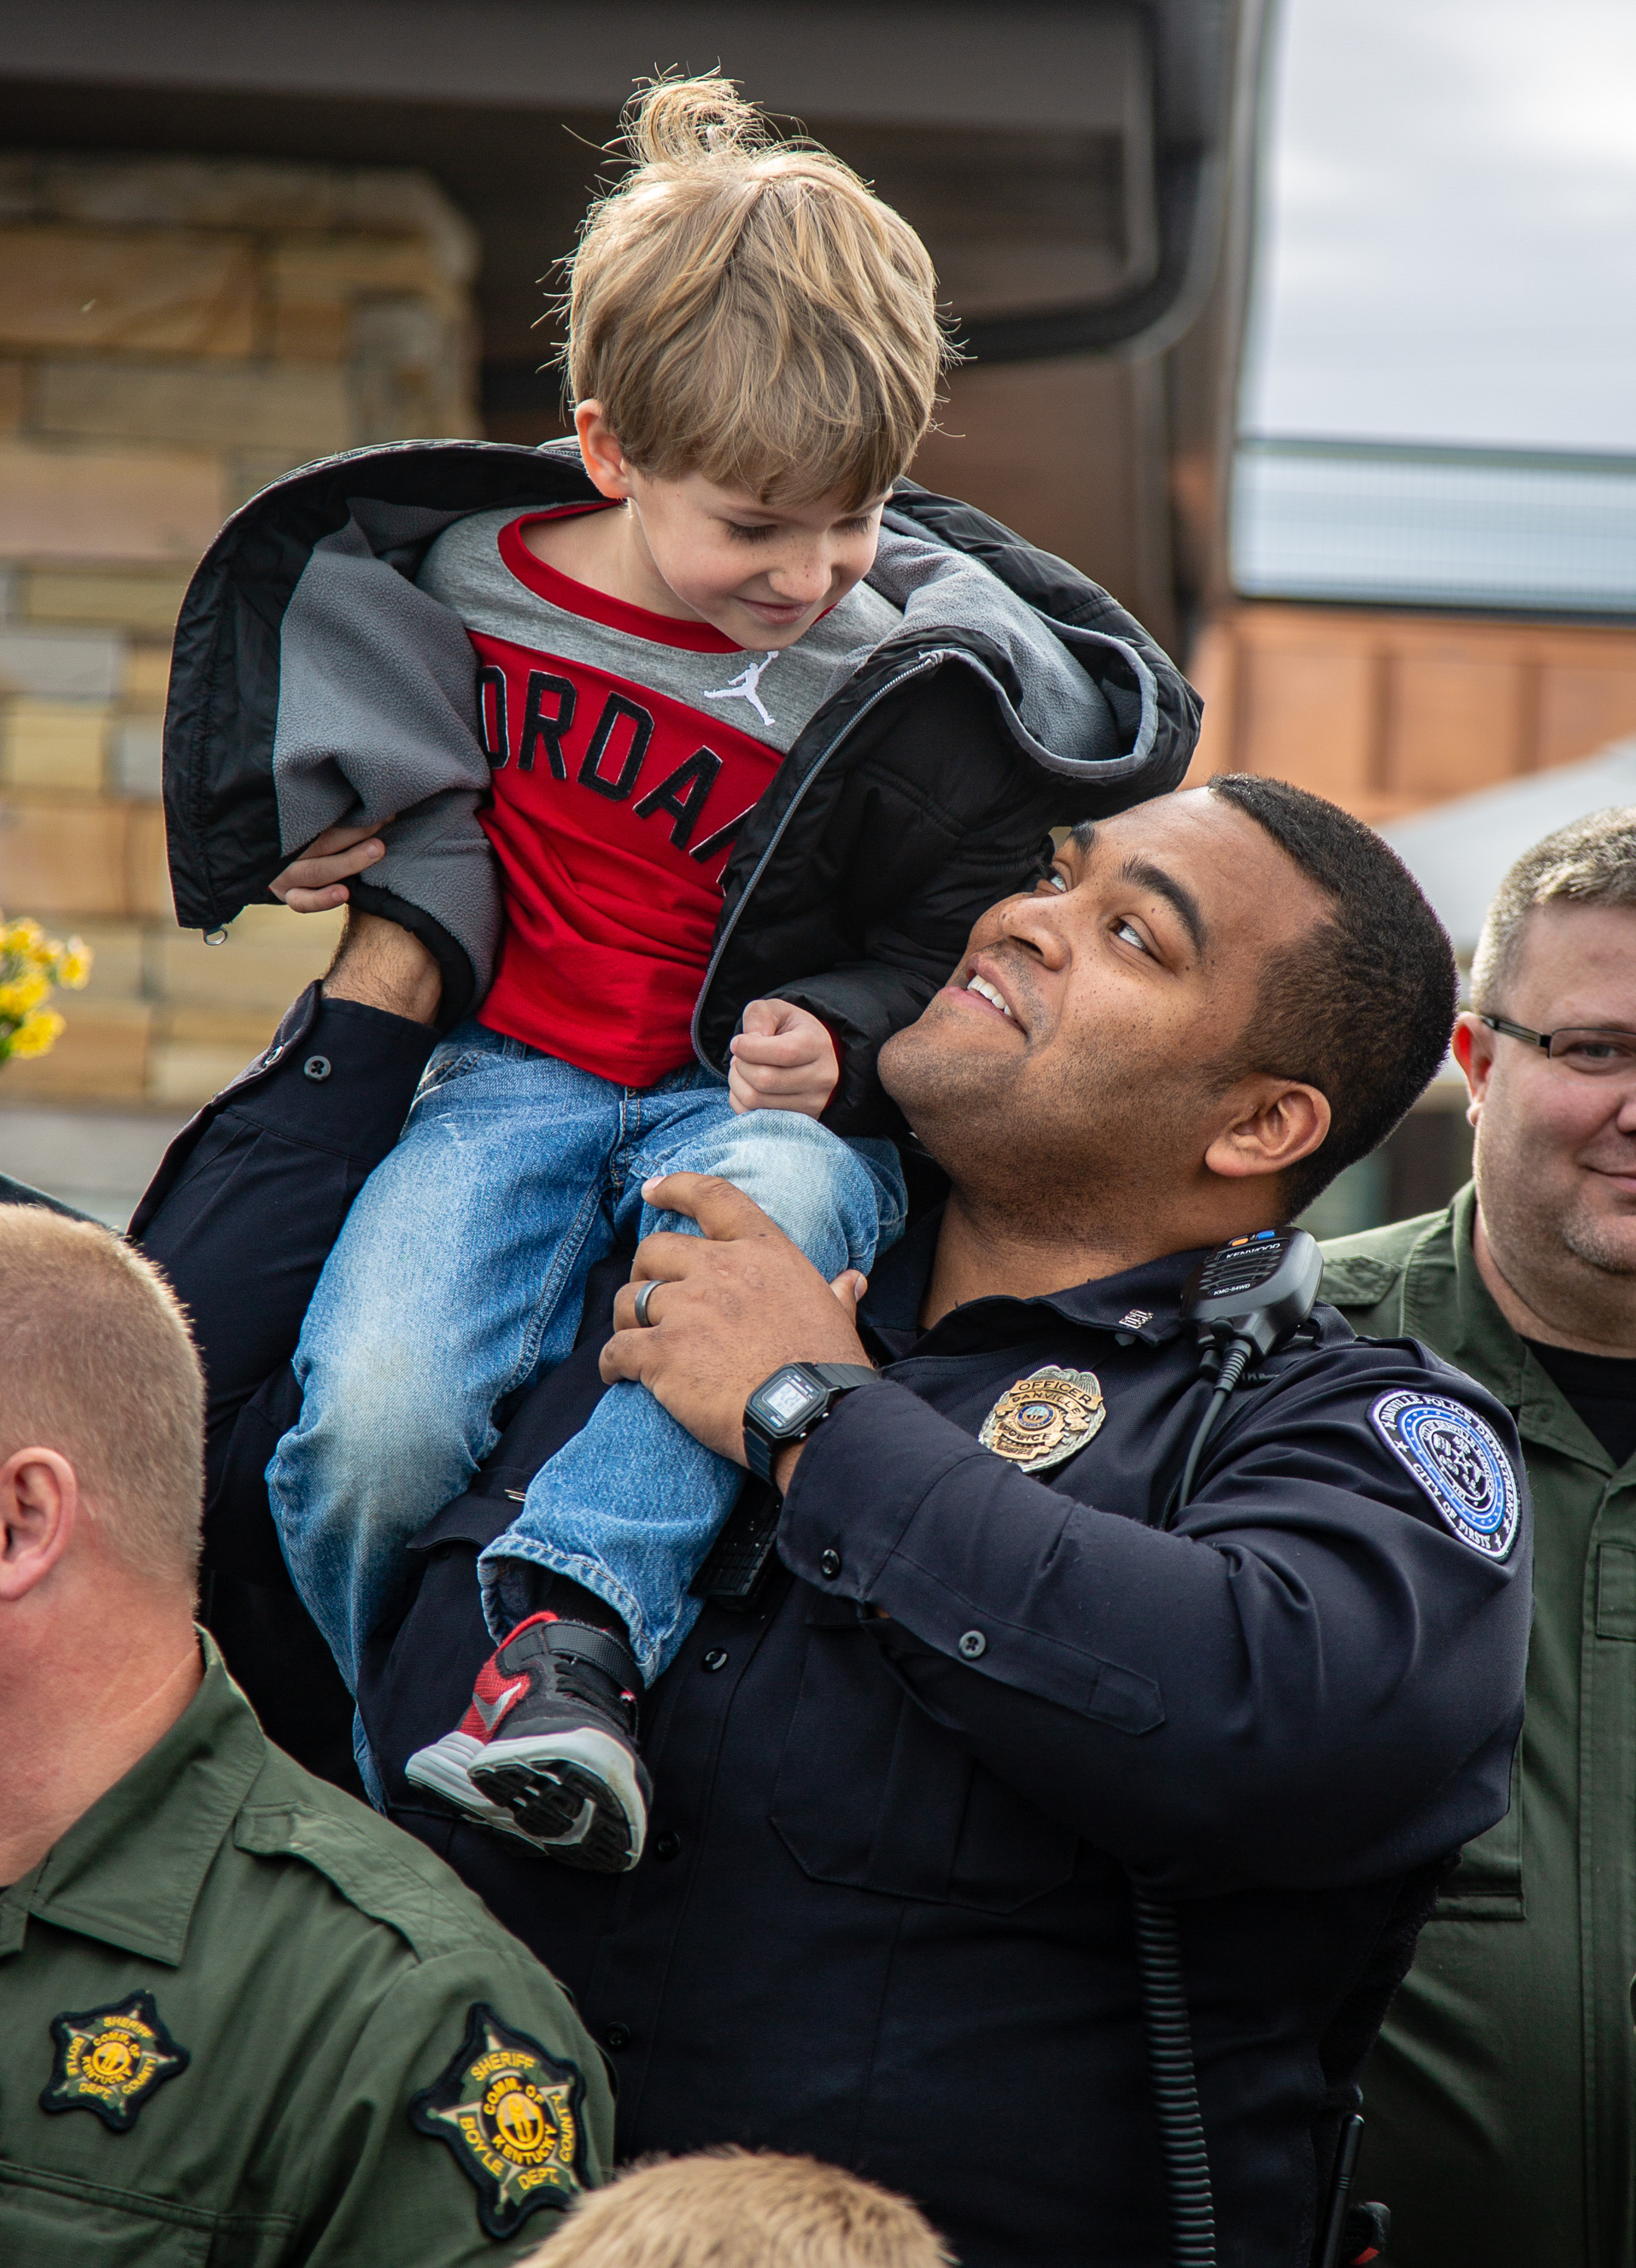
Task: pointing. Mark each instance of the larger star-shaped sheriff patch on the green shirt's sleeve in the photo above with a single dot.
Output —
(512, 2117)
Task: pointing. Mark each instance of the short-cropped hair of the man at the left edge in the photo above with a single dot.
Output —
(96, 1364)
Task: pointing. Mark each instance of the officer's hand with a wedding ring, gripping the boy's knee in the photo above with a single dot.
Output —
(734, 1305)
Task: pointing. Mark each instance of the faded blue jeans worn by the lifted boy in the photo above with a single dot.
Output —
(462, 1273)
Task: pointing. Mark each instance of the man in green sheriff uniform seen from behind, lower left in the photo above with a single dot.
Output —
(242, 2017)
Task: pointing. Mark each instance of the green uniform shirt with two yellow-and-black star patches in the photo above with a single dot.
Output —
(244, 2022)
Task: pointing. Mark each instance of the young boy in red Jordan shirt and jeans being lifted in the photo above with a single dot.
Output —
(754, 355)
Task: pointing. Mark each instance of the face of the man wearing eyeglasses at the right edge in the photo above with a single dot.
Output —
(1558, 1149)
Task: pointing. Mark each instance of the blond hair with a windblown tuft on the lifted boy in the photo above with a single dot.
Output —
(748, 310)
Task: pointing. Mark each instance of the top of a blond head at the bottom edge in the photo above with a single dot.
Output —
(739, 2210)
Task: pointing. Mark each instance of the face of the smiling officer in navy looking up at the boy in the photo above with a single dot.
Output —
(1093, 1024)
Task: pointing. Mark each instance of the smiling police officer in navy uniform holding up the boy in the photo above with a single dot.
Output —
(904, 1793)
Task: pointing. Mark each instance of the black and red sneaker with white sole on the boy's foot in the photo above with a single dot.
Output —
(548, 1747)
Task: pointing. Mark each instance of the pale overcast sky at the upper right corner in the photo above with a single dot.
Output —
(1449, 244)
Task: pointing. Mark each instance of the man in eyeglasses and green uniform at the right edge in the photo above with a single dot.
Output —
(1501, 2101)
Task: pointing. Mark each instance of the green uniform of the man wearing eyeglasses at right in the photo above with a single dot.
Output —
(1499, 2106)
